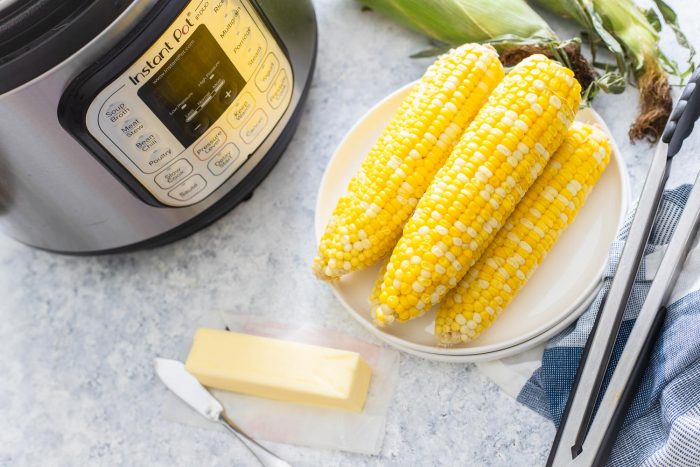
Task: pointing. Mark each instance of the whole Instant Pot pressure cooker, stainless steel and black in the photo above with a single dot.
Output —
(131, 123)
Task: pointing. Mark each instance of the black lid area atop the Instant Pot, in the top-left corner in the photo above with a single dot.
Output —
(36, 35)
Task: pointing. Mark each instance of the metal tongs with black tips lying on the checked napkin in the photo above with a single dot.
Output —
(582, 439)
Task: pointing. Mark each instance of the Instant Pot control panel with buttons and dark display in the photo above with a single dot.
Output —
(193, 108)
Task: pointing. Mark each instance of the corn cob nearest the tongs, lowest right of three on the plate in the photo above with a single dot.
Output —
(530, 232)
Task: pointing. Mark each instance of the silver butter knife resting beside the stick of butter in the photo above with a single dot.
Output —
(181, 382)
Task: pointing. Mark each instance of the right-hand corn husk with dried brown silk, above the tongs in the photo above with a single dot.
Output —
(632, 36)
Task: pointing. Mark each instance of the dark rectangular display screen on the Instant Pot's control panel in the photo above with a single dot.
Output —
(194, 87)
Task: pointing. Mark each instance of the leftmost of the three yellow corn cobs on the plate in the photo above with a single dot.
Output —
(368, 219)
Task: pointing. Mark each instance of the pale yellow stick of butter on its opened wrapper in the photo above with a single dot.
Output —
(277, 369)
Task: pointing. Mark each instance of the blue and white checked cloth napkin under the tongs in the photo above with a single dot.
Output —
(662, 426)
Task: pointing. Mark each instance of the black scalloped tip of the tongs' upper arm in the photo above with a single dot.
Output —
(683, 117)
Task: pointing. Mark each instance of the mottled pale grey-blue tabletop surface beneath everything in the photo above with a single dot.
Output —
(78, 335)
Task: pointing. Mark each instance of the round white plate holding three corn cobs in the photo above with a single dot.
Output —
(568, 276)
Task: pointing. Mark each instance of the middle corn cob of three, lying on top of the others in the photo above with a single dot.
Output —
(500, 155)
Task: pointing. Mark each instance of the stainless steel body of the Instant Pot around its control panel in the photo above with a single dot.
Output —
(56, 195)
